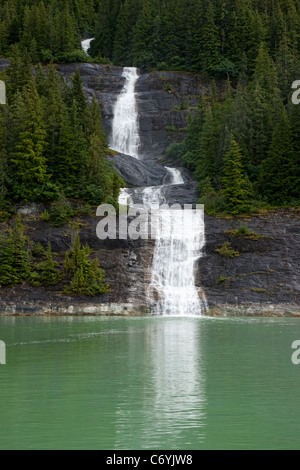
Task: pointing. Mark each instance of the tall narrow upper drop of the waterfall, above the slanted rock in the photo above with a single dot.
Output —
(125, 130)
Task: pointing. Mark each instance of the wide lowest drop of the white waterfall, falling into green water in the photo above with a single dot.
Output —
(180, 237)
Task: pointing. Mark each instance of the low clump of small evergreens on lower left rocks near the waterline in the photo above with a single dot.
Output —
(23, 262)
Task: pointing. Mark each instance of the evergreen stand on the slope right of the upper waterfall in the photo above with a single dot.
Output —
(244, 146)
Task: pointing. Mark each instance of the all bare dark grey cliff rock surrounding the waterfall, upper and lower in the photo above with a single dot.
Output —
(262, 279)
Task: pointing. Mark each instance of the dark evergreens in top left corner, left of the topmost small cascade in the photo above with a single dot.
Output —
(46, 29)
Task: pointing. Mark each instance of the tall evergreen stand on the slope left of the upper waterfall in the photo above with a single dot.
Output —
(51, 141)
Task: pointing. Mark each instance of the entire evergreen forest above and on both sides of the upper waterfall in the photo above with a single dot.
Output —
(251, 131)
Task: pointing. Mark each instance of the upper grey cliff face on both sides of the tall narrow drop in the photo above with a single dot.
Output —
(163, 99)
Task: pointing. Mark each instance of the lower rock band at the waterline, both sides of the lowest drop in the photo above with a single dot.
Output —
(262, 280)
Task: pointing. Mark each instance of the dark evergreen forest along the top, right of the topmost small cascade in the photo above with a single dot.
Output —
(215, 37)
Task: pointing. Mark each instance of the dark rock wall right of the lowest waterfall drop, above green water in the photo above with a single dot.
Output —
(267, 270)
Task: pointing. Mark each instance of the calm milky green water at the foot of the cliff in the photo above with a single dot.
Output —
(149, 383)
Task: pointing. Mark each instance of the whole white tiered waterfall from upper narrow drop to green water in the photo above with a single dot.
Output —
(180, 234)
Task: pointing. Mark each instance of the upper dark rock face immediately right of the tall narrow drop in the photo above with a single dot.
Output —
(164, 100)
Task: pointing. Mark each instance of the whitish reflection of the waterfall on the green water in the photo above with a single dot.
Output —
(170, 412)
